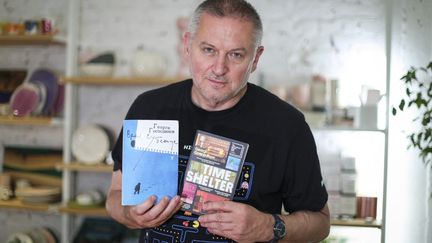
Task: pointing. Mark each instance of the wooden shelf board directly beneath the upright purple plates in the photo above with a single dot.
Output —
(30, 120)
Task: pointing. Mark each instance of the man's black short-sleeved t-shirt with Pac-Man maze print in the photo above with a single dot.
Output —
(281, 166)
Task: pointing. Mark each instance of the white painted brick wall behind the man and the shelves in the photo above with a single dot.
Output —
(301, 38)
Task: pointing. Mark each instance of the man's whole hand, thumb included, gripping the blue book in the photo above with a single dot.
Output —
(145, 215)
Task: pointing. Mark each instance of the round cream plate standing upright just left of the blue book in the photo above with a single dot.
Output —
(90, 144)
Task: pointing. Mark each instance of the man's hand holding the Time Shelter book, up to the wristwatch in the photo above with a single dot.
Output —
(237, 221)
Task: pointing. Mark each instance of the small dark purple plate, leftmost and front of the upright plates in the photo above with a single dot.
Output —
(25, 99)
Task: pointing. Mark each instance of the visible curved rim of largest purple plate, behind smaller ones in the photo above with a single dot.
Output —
(50, 80)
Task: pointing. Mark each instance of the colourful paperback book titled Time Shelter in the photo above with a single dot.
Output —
(213, 170)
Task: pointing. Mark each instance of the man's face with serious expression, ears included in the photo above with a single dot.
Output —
(221, 56)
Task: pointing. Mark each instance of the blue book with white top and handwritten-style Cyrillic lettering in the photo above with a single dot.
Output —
(150, 160)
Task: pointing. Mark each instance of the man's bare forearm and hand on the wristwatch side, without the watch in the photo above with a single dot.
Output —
(243, 223)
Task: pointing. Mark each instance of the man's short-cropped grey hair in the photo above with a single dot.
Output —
(228, 8)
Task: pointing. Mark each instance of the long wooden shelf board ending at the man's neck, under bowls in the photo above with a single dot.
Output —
(121, 80)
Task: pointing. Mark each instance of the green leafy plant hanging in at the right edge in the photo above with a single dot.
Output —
(418, 83)
